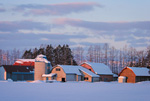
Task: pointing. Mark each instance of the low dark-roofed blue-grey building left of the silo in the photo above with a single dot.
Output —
(19, 73)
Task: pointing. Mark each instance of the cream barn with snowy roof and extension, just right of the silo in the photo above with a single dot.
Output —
(72, 73)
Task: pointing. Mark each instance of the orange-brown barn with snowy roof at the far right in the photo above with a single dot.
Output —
(135, 74)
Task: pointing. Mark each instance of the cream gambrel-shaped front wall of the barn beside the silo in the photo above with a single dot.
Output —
(60, 74)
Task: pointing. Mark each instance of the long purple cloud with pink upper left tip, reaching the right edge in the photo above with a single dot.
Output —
(104, 26)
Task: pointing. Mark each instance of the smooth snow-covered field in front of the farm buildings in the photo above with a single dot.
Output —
(74, 91)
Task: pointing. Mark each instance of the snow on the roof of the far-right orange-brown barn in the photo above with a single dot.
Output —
(140, 71)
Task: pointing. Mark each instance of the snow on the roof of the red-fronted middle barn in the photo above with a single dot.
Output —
(100, 68)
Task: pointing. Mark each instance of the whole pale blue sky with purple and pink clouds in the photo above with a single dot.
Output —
(30, 23)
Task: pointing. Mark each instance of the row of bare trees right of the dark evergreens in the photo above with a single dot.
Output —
(114, 58)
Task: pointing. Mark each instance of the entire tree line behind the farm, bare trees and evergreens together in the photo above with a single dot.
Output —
(63, 55)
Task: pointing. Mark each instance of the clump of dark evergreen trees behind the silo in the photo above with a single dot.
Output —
(59, 55)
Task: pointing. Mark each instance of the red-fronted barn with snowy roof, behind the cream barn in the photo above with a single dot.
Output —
(100, 69)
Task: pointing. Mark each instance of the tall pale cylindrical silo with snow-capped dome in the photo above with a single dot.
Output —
(42, 66)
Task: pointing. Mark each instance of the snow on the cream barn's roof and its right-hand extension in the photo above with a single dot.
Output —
(69, 69)
